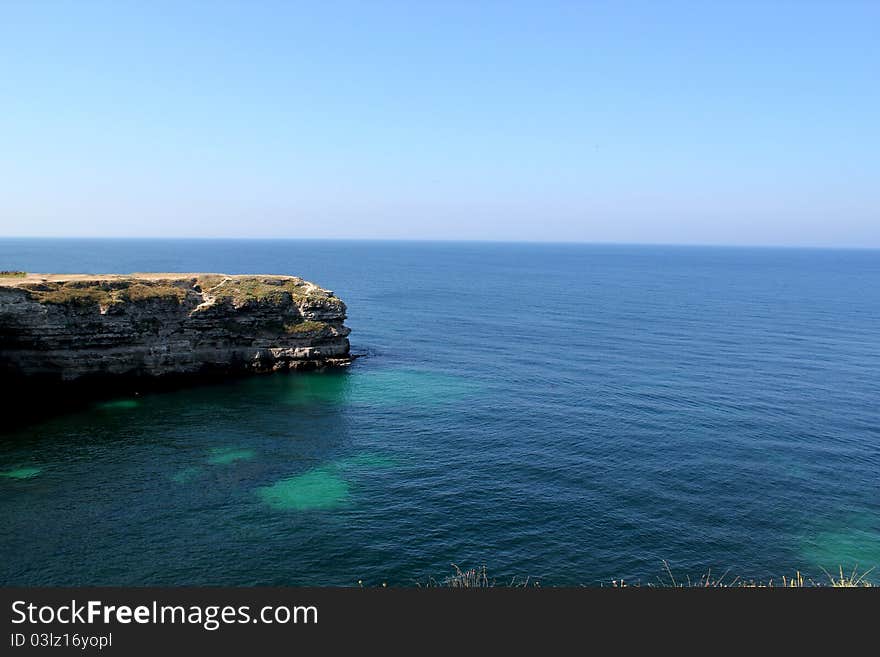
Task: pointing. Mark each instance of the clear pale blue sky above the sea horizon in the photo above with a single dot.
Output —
(702, 122)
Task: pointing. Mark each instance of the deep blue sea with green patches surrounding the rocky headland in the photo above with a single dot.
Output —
(569, 413)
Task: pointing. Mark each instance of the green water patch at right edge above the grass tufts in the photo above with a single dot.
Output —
(854, 545)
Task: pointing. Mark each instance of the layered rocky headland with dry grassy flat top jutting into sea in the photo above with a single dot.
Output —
(141, 327)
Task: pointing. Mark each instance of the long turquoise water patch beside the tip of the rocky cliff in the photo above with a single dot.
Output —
(392, 387)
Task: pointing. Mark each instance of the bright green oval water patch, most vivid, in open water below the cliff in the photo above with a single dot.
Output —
(319, 488)
